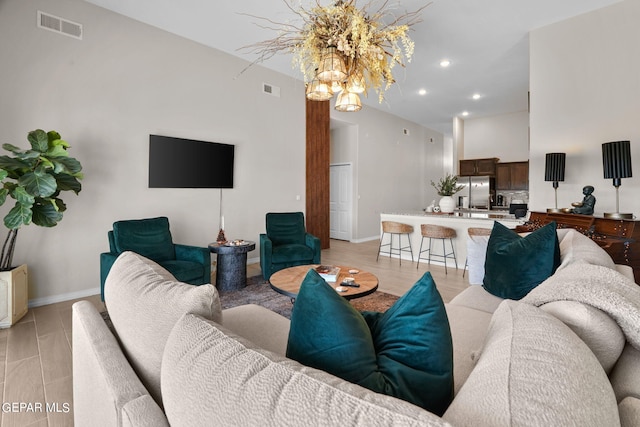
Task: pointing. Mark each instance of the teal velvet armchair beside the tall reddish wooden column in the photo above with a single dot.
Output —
(286, 243)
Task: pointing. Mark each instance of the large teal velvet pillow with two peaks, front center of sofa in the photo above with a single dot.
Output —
(406, 352)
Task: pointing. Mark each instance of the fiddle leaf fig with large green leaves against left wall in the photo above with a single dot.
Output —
(34, 178)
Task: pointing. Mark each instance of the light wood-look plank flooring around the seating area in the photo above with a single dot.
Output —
(36, 379)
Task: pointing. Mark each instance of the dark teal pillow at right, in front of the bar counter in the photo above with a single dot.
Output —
(514, 265)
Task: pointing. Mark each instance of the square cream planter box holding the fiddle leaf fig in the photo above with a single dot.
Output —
(14, 297)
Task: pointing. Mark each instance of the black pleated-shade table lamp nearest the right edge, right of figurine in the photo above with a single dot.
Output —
(616, 164)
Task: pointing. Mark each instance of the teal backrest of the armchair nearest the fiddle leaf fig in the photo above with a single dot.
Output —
(150, 238)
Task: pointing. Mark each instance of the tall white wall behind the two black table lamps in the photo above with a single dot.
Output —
(585, 91)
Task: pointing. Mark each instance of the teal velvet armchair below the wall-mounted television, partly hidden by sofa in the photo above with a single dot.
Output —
(151, 238)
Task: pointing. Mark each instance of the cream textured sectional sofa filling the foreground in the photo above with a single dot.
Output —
(561, 356)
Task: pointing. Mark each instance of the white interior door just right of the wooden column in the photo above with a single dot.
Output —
(340, 201)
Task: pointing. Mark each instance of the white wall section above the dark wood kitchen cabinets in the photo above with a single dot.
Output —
(505, 136)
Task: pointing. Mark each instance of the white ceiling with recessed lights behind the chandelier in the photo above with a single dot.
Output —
(486, 41)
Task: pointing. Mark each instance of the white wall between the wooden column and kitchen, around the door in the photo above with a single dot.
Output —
(393, 170)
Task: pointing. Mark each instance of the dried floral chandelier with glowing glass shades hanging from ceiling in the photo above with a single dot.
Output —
(342, 49)
